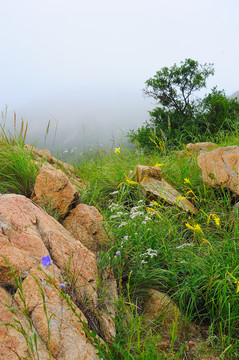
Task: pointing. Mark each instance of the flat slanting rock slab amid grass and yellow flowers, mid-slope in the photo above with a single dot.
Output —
(154, 186)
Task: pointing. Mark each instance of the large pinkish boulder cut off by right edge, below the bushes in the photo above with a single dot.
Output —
(220, 167)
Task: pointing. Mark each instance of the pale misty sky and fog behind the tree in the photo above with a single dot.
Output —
(83, 64)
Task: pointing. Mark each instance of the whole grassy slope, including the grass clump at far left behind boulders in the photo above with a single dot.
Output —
(195, 275)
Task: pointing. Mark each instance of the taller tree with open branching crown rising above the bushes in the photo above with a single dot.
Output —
(173, 88)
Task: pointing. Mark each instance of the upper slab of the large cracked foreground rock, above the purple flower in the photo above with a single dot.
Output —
(28, 233)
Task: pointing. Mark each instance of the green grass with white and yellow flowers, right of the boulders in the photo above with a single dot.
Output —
(195, 275)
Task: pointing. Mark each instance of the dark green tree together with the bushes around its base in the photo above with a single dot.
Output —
(179, 116)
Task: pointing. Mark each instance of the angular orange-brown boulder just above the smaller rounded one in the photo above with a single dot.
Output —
(54, 191)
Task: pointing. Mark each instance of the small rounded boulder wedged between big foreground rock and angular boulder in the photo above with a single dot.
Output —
(85, 223)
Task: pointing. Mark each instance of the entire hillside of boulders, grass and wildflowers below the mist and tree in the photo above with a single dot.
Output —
(159, 278)
